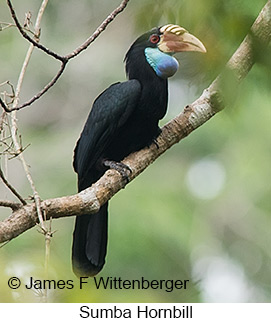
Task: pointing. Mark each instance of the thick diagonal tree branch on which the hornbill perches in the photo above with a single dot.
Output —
(193, 116)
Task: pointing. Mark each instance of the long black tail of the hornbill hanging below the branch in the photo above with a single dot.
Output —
(90, 243)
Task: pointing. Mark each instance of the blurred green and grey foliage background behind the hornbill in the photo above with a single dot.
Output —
(201, 211)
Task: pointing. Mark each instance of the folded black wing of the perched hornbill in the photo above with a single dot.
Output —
(109, 112)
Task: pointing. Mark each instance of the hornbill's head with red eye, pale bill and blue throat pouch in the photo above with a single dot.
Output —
(159, 44)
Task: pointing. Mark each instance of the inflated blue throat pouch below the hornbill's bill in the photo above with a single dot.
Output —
(163, 64)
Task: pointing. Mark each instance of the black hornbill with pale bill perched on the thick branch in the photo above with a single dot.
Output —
(123, 119)
